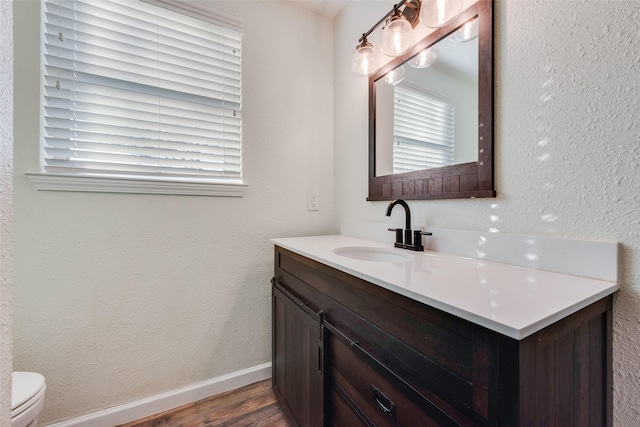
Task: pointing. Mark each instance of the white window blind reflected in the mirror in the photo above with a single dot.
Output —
(423, 129)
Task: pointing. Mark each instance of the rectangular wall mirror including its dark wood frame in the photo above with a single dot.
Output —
(408, 159)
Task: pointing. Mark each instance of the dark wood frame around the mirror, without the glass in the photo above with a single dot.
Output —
(466, 180)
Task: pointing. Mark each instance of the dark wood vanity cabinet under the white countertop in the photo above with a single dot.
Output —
(347, 352)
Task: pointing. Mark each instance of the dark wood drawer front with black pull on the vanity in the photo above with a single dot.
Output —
(372, 391)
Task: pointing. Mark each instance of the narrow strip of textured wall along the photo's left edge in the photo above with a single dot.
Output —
(6, 205)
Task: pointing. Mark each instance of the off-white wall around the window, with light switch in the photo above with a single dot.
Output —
(119, 297)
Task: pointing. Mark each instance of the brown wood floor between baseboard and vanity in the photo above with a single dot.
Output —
(253, 405)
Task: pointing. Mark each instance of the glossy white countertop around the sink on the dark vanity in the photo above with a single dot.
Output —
(515, 301)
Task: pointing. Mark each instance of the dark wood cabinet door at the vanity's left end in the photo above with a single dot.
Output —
(297, 358)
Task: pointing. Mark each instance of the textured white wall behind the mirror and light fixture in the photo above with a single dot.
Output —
(567, 143)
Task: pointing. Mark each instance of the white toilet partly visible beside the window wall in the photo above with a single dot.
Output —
(27, 398)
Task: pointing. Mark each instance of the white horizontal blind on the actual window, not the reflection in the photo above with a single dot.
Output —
(135, 90)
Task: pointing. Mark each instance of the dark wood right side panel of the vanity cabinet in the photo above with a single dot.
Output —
(566, 368)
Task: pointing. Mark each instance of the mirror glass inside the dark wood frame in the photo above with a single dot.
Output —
(429, 118)
